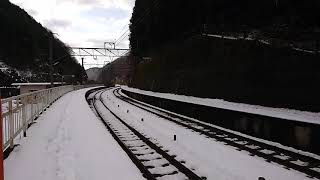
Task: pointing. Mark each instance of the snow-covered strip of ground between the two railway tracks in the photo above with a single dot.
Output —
(207, 157)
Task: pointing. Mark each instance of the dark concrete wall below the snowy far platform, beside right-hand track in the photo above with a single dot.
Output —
(303, 136)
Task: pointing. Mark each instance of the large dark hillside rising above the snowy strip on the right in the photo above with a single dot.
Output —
(248, 52)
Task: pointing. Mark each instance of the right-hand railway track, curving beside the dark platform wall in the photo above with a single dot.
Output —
(289, 159)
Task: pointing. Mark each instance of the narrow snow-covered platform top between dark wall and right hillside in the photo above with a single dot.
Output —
(288, 114)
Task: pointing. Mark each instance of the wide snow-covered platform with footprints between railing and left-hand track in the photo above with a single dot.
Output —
(69, 142)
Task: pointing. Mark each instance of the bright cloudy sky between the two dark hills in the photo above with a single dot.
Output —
(86, 23)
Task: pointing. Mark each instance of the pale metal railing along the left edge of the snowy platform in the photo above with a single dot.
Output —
(19, 112)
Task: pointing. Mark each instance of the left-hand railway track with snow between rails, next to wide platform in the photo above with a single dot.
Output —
(152, 160)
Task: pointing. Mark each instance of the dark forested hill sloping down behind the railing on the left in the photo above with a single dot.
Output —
(24, 49)
